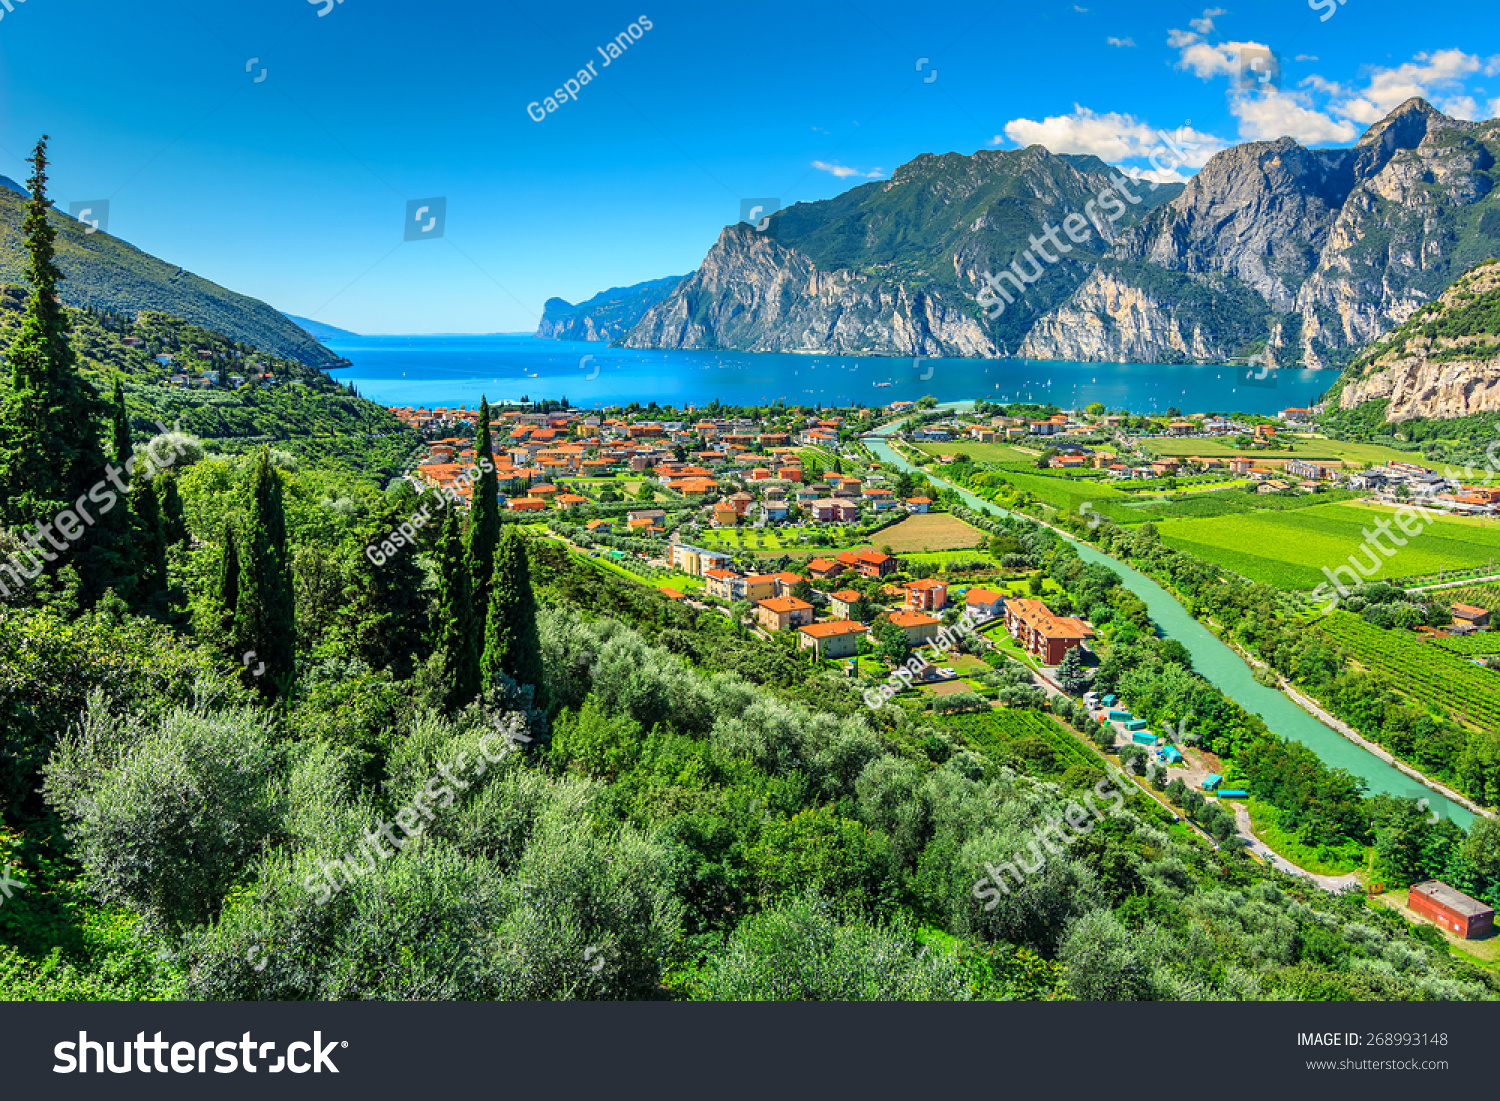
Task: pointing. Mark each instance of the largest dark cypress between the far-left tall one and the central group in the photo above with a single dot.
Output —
(266, 617)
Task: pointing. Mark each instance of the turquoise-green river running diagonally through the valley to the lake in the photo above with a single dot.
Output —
(1229, 673)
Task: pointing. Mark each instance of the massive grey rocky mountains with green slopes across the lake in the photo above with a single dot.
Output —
(1304, 256)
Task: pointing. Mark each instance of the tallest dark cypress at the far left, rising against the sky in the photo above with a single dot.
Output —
(50, 419)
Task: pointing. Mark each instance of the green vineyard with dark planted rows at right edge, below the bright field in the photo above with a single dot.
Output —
(1439, 679)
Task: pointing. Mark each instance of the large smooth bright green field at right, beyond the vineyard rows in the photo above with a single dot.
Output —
(1289, 548)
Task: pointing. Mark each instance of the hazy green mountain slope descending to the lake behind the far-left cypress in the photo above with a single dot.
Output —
(109, 274)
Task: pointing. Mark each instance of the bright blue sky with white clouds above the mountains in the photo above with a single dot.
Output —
(295, 188)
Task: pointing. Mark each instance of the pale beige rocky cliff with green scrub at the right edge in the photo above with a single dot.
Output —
(1444, 362)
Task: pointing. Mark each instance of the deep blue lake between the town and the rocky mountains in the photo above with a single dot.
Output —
(460, 370)
